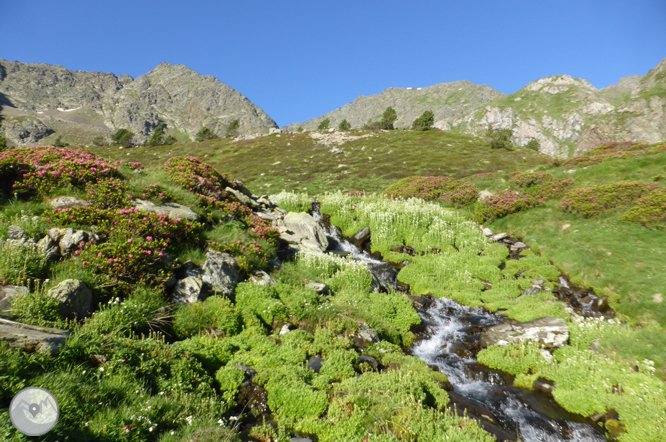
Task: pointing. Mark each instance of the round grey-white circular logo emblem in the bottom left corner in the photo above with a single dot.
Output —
(34, 411)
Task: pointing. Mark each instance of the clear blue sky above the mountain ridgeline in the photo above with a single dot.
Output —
(300, 59)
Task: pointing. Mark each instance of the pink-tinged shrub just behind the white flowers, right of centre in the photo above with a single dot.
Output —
(447, 190)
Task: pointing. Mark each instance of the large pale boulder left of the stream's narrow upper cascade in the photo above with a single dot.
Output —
(301, 231)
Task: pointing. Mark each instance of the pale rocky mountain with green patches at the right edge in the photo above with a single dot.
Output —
(568, 116)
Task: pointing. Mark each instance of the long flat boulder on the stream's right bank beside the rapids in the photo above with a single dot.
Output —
(549, 332)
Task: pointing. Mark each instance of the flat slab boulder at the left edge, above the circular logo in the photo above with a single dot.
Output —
(32, 337)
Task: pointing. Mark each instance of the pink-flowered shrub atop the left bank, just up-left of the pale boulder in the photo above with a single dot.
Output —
(197, 176)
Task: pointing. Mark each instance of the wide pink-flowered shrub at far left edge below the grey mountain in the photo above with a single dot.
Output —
(47, 168)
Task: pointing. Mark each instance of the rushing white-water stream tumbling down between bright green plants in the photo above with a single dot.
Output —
(447, 340)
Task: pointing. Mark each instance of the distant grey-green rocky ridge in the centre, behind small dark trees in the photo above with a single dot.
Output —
(446, 100)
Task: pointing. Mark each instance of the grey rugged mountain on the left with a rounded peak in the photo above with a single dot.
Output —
(39, 100)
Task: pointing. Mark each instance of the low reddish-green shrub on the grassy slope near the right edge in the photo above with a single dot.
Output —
(592, 201)
